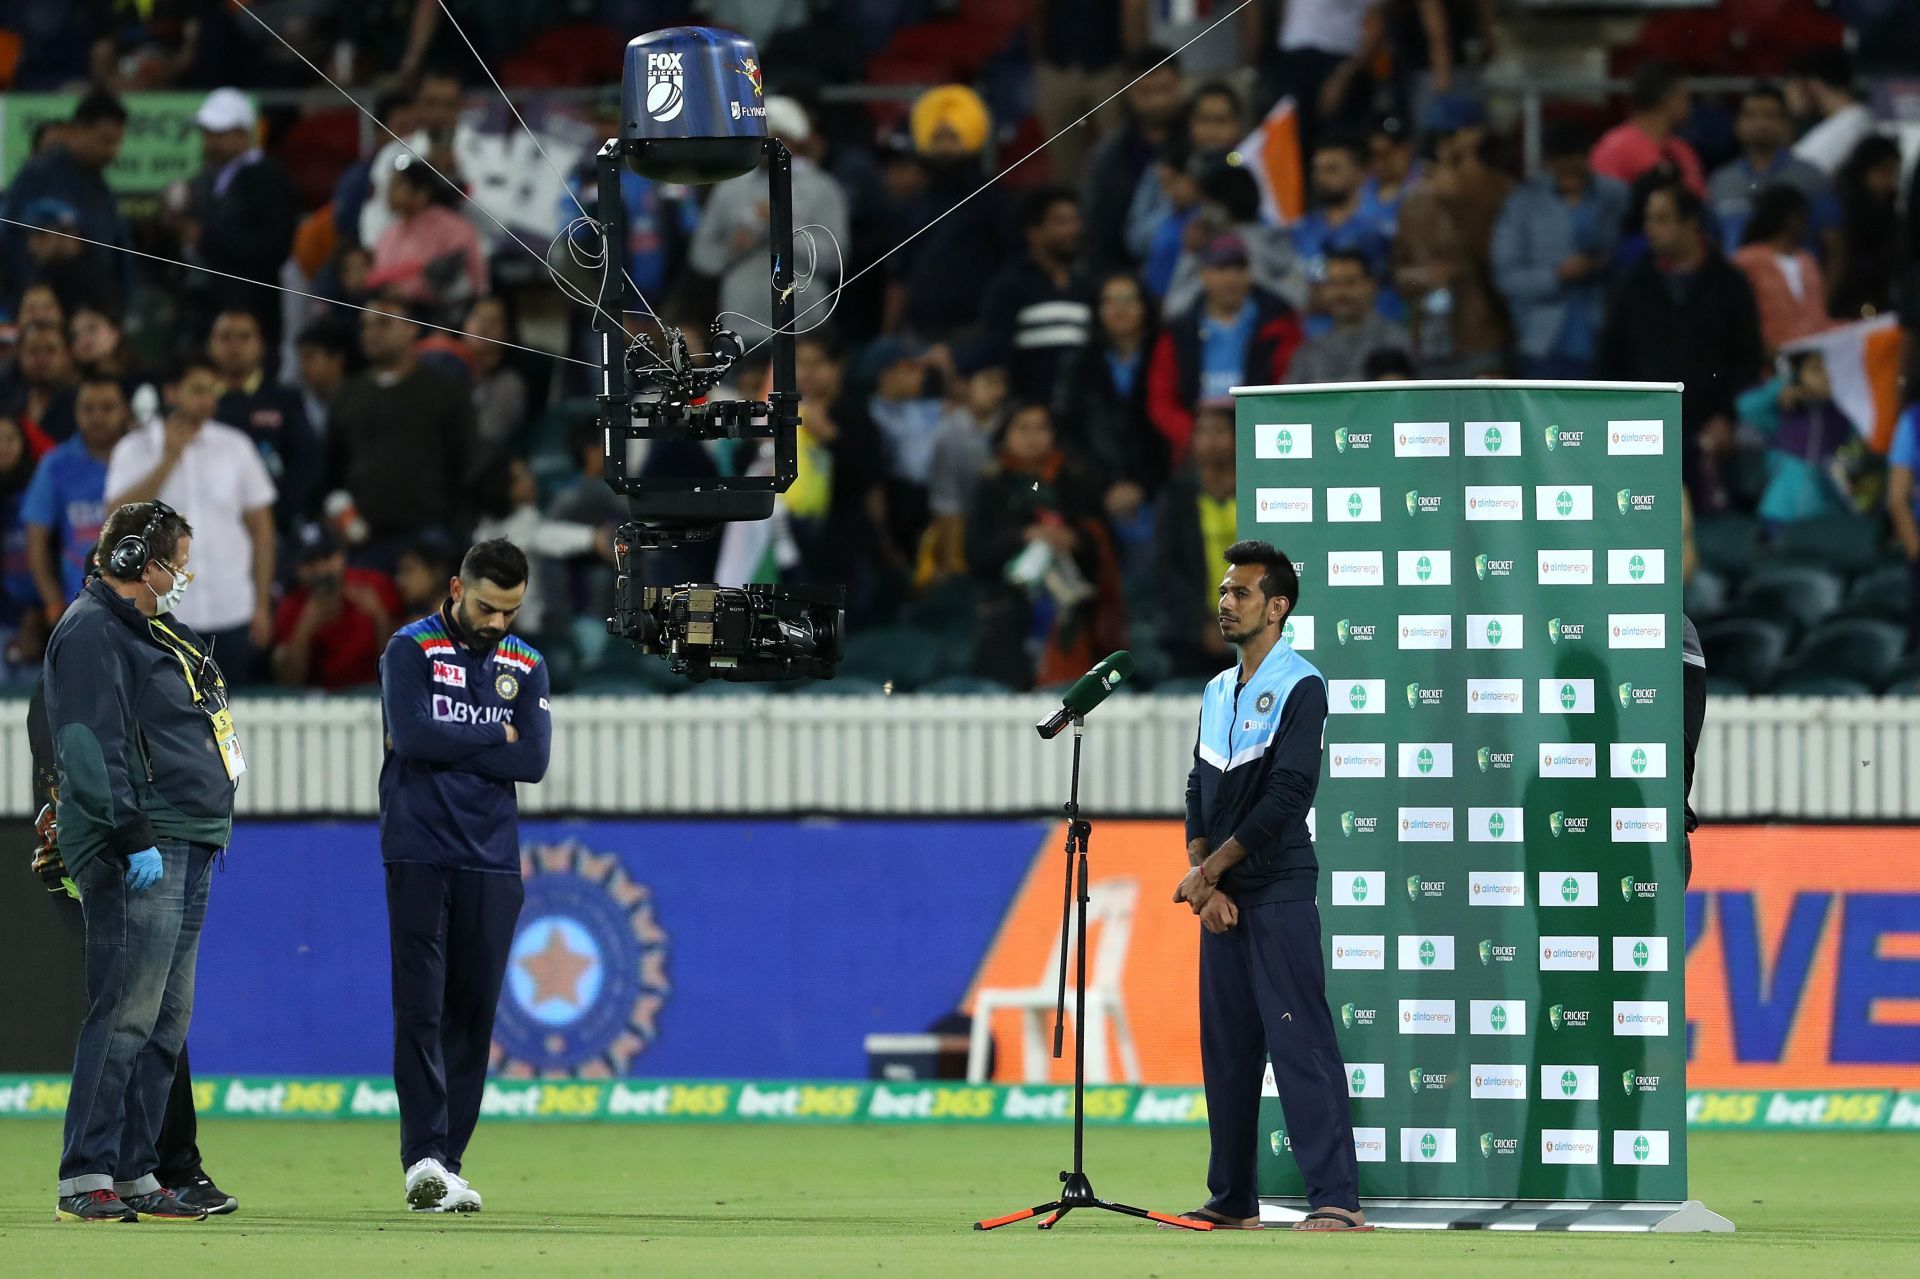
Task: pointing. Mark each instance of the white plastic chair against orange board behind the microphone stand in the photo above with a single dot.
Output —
(1111, 929)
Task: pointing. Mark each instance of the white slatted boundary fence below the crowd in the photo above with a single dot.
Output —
(1764, 758)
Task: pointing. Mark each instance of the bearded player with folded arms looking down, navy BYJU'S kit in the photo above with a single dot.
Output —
(466, 712)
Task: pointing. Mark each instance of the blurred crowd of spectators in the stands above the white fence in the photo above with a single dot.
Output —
(1017, 448)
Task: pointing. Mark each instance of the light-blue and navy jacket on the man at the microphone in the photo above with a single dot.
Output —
(1257, 767)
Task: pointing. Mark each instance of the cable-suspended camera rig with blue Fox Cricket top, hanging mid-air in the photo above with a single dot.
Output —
(692, 110)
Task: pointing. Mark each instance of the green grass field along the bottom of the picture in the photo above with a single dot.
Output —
(324, 1199)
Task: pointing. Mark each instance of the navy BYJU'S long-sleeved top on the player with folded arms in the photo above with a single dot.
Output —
(446, 784)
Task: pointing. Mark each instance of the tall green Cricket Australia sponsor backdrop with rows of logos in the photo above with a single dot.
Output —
(1491, 583)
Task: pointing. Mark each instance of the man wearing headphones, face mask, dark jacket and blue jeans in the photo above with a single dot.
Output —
(149, 760)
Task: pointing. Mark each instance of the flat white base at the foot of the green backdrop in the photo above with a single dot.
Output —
(1522, 1215)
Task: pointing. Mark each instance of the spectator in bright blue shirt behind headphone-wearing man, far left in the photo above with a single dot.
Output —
(66, 500)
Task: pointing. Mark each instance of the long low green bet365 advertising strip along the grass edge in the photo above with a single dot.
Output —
(784, 1101)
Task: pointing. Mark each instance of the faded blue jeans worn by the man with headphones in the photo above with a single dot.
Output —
(141, 952)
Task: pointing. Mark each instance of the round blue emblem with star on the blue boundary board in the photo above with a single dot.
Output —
(587, 977)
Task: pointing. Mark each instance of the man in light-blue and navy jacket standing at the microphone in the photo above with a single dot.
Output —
(1251, 881)
